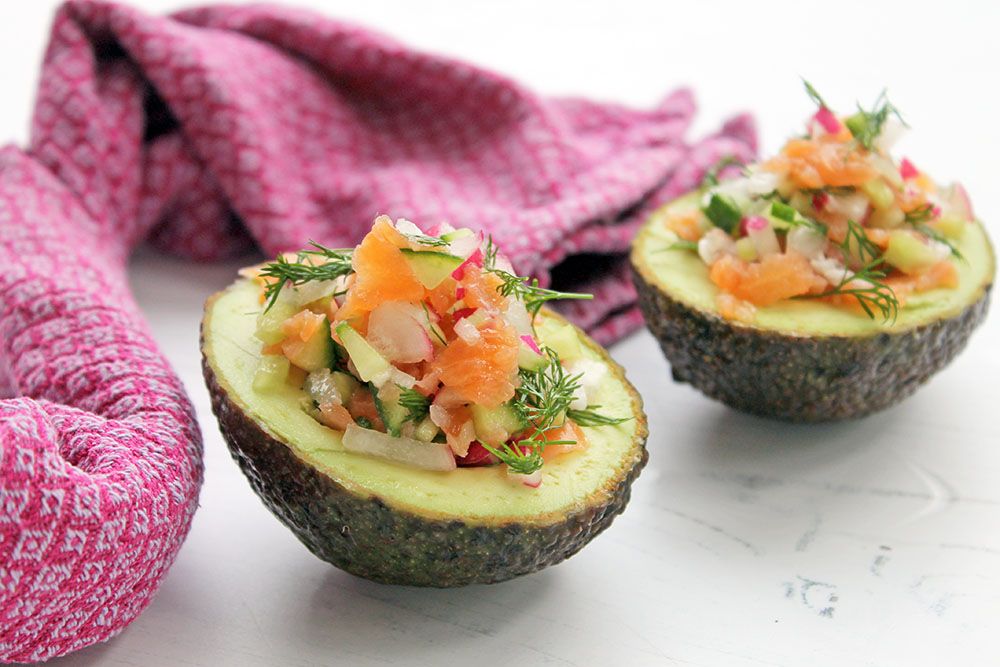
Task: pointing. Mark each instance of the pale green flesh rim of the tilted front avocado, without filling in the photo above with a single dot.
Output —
(483, 494)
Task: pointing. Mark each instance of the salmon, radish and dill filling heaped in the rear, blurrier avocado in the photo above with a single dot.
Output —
(831, 217)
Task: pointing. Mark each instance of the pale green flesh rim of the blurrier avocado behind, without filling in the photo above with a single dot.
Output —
(684, 276)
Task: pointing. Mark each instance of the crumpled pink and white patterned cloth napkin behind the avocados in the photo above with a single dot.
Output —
(207, 132)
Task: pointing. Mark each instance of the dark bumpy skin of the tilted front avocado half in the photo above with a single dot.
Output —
(370, 539)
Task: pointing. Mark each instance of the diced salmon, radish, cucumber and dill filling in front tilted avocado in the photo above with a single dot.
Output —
(423, 350)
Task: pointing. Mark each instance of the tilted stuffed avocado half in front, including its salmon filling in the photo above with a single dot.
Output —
(414, 414)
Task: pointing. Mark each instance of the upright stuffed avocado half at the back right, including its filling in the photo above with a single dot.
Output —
(825, 283)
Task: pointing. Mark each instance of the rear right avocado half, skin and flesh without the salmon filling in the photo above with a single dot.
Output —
(803, 360)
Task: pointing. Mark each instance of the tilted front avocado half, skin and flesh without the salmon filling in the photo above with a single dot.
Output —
(400, 525)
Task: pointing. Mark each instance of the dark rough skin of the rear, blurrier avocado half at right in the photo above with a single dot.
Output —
(800, 378)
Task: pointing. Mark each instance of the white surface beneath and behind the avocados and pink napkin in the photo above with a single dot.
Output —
(747, 542)
